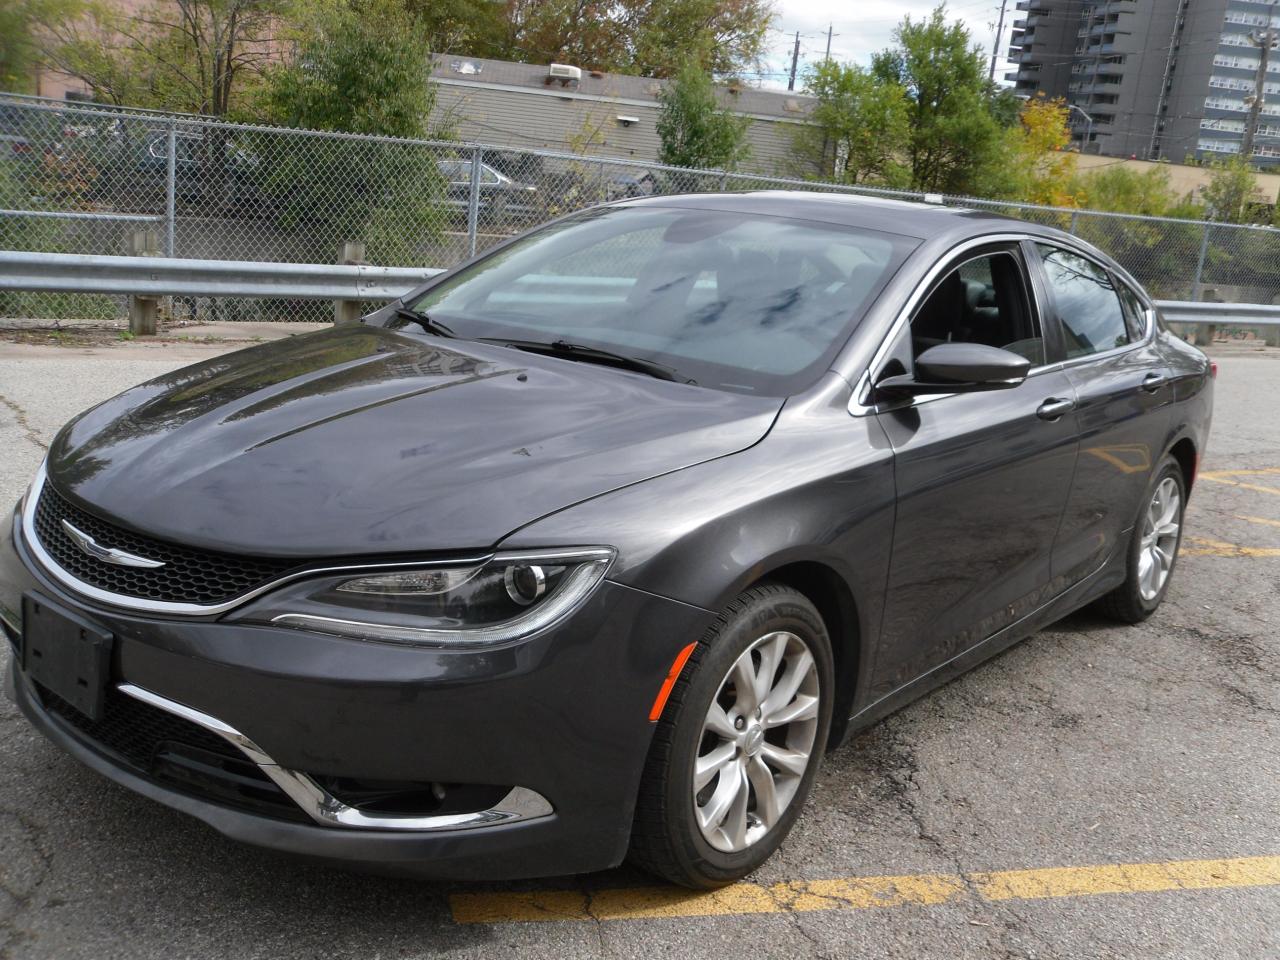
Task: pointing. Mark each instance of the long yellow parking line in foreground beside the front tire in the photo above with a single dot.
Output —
(865, 893)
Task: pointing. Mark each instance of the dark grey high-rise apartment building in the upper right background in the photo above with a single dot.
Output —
(1155, 79)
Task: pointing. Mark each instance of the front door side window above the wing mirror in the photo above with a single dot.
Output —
(981, 301)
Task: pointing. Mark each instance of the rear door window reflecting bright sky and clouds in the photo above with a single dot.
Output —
(1089, 307)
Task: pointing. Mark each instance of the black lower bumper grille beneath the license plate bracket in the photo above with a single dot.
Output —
(176, 753)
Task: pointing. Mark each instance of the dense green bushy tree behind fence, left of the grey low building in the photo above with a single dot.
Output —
(360, 67)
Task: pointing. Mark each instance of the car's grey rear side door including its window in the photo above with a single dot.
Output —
(1123, 404)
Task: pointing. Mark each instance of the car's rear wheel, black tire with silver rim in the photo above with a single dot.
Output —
(1135, 600)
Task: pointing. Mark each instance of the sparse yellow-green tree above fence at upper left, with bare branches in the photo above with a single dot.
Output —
(189, 56)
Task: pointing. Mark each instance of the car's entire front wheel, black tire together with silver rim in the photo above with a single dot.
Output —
(769, 621)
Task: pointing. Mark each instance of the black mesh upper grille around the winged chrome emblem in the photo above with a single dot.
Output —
(188, 577)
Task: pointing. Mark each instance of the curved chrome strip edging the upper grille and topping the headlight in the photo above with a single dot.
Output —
(195, 610)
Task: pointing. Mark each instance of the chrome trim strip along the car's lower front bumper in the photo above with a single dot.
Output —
(326, 810)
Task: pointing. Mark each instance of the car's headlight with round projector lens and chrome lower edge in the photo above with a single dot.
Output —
(505, 598)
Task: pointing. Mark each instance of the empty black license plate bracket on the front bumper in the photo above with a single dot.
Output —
(66, 653)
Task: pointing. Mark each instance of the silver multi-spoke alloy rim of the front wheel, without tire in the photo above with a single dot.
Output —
(757, 742)
